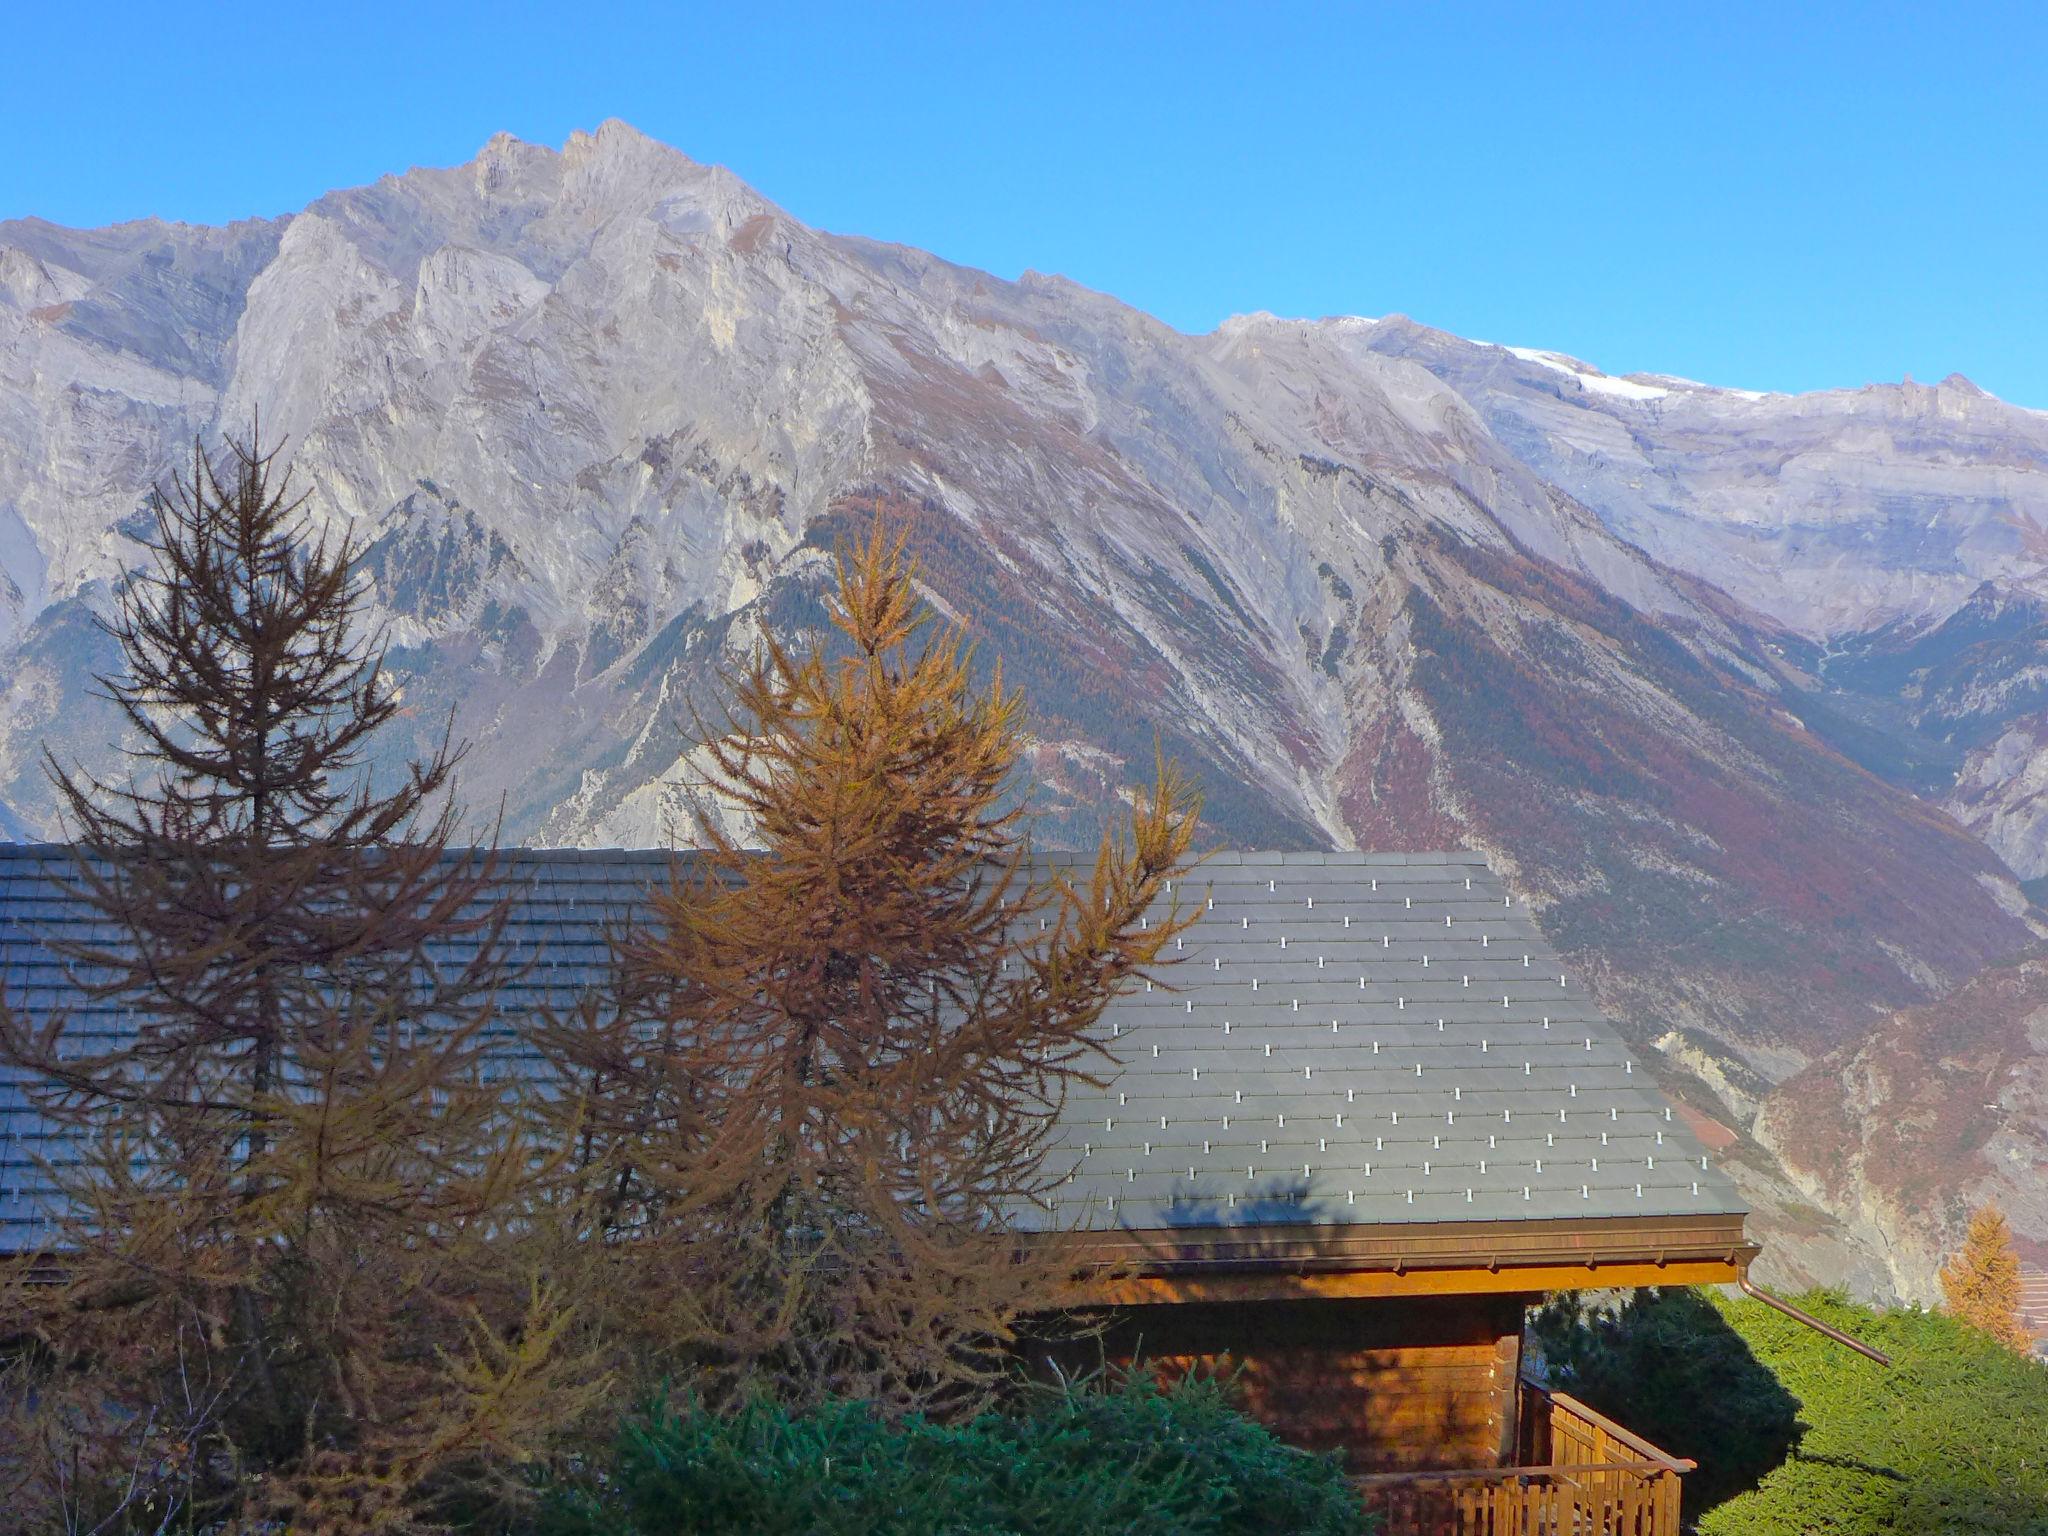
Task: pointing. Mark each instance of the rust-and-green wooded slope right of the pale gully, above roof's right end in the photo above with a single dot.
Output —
(1699, 847)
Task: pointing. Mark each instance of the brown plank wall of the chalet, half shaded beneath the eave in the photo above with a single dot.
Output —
(1396, 1385)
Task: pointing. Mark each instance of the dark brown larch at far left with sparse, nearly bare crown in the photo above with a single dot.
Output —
(288, 1281)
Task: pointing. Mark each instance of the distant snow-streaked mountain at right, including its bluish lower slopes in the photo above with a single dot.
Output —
(1900, 534)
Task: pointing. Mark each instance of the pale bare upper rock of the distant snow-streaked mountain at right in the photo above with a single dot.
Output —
(1830, 513)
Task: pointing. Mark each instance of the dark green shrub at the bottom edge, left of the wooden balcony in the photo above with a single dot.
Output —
(1134, 1457)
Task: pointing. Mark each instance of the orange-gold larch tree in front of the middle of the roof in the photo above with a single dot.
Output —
(822, 1091)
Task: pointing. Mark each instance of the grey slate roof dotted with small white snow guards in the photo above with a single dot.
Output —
(1345, 1039)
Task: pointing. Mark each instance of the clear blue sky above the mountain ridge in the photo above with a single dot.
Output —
(1775, 198)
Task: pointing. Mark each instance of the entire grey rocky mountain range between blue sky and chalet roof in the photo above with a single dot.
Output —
(597, 419)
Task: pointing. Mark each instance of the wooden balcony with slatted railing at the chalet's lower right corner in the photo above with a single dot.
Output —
(1580, 1476)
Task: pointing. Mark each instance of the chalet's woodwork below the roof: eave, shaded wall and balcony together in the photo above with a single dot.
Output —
(1402, 1353)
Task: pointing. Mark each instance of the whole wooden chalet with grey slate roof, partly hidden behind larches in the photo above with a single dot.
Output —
(1361, 1125)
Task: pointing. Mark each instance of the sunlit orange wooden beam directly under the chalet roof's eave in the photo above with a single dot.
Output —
(1476, 1281)
